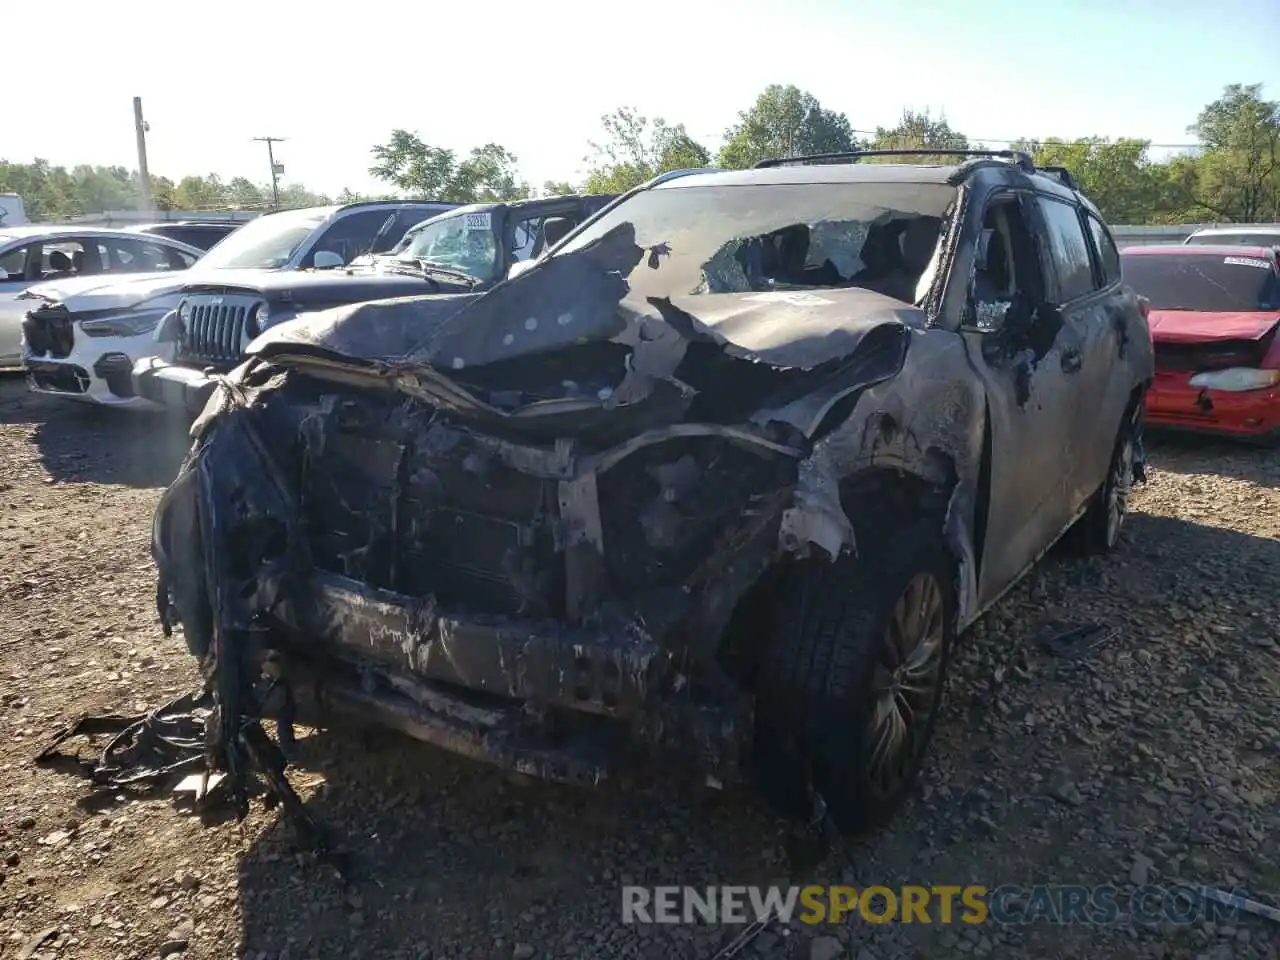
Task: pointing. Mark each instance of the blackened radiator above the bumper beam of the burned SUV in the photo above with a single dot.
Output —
(403, 504)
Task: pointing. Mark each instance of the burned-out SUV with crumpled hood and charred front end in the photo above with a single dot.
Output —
(721, 479)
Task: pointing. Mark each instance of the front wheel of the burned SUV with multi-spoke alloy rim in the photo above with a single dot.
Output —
(853, 678)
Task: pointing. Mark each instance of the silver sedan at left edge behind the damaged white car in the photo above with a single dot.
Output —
(31, 255)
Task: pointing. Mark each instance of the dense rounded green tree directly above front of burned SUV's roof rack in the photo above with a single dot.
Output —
(785, 121)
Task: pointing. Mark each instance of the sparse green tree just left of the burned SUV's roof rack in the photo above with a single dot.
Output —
(637, 149)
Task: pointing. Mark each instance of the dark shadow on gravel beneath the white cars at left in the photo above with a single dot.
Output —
(83, 444)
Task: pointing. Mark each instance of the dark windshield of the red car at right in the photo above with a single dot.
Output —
(1204, 282)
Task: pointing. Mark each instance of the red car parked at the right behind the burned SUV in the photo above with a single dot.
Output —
(1215, 313)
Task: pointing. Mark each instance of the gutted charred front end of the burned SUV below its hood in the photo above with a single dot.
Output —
(504, 600)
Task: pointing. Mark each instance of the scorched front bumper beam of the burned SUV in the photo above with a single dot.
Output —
(543, 698)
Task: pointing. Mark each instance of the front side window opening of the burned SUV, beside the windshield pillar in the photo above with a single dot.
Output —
(1007, 267)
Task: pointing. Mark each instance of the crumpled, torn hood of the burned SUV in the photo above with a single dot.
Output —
(570, 341)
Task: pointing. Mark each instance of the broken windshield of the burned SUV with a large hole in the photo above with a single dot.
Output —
(780, 237)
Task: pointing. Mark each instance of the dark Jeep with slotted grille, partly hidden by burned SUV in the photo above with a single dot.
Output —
(465, 252)
